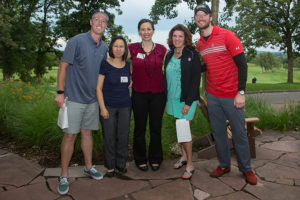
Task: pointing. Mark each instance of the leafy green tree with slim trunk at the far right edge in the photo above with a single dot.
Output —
(270, 22)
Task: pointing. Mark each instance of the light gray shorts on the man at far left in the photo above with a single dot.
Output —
(82, 116)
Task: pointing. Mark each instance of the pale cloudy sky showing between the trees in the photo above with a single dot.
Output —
(135, 10)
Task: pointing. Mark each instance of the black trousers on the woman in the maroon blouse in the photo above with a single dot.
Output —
(146, 104)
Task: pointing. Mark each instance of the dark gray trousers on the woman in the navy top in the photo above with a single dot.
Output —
(115, 134)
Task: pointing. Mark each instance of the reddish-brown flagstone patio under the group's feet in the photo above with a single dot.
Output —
(277, 166)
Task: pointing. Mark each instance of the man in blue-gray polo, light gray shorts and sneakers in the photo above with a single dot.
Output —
(76, 81)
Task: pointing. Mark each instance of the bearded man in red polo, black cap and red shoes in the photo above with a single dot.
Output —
(226, 71)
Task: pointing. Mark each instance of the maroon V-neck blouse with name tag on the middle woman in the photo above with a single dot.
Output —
(147, 74)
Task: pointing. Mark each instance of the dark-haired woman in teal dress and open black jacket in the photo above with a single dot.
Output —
(182, 80)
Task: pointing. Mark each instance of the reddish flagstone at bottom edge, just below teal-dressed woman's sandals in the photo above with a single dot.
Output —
(179, 189)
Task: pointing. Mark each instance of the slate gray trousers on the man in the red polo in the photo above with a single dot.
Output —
(220, 109)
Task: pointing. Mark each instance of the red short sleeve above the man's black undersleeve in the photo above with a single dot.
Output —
(233, 44)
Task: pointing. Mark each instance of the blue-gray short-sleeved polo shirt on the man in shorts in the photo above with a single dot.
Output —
(84, 58)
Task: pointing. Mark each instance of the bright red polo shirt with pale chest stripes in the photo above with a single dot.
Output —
(217, 53)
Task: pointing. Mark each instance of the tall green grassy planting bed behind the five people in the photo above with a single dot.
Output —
(28, 116)
